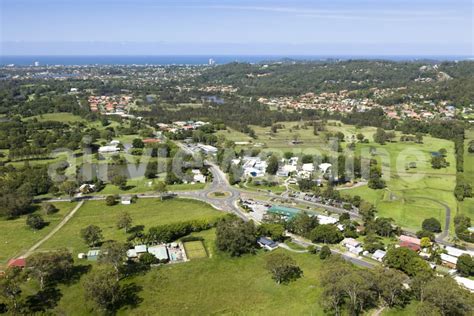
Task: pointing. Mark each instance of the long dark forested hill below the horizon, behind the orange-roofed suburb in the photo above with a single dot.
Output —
(283, 79)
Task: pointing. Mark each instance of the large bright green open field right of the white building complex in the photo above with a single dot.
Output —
(411, 195)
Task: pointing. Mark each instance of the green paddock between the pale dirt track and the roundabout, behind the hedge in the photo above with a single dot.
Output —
(147, 212)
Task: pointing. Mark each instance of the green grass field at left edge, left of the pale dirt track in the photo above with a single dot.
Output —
(17, 237)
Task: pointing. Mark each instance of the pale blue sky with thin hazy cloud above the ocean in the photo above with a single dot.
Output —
(231, 27)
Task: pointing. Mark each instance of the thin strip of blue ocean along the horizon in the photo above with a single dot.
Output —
(191, 59)
